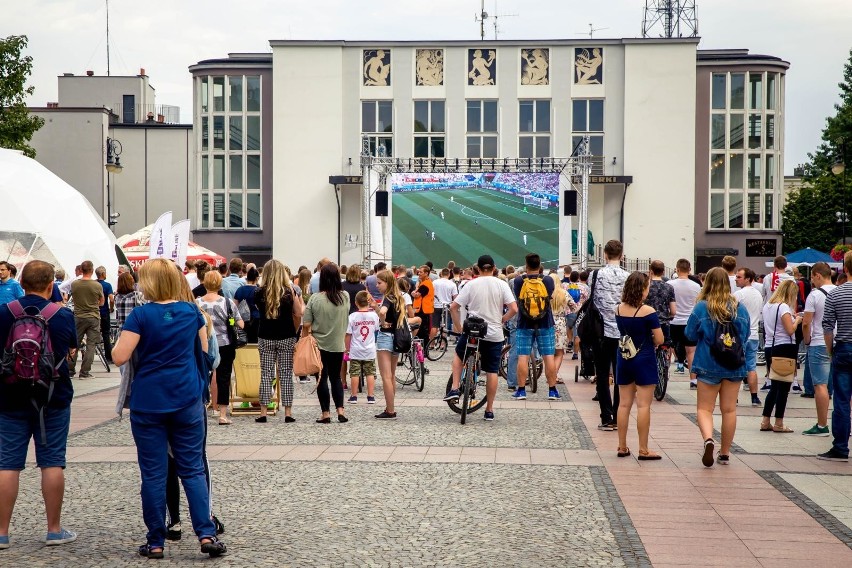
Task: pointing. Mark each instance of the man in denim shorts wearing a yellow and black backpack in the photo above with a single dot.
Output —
(535, 325)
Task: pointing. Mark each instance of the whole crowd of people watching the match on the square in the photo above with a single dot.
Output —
(180, 329)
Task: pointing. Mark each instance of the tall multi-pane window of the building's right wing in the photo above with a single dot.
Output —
(742, 150)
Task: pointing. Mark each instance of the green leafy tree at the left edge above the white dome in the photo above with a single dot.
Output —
(16, 125)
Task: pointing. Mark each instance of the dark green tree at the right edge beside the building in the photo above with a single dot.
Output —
(810, 215)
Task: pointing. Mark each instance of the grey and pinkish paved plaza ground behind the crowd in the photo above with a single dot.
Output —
(539, 486)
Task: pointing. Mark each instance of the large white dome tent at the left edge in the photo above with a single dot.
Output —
(44, 218)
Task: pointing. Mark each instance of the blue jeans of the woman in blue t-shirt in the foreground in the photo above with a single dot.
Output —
(183, 431)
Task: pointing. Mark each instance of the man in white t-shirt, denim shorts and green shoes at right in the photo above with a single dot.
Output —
(819, 362)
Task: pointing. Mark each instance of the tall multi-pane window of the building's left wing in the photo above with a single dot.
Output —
(230, 161)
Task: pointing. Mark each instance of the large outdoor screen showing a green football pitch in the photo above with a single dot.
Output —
(447, 216)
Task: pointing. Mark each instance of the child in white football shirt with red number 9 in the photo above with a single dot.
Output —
(361, 346)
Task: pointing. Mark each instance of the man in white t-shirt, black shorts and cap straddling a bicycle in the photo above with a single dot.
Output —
(487, 297)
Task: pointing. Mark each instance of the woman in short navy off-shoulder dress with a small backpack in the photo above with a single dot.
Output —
(636, 372)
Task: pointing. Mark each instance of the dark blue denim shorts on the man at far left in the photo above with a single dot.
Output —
(19, 426)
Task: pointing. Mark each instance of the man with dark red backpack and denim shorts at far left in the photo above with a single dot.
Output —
(35, 399)
